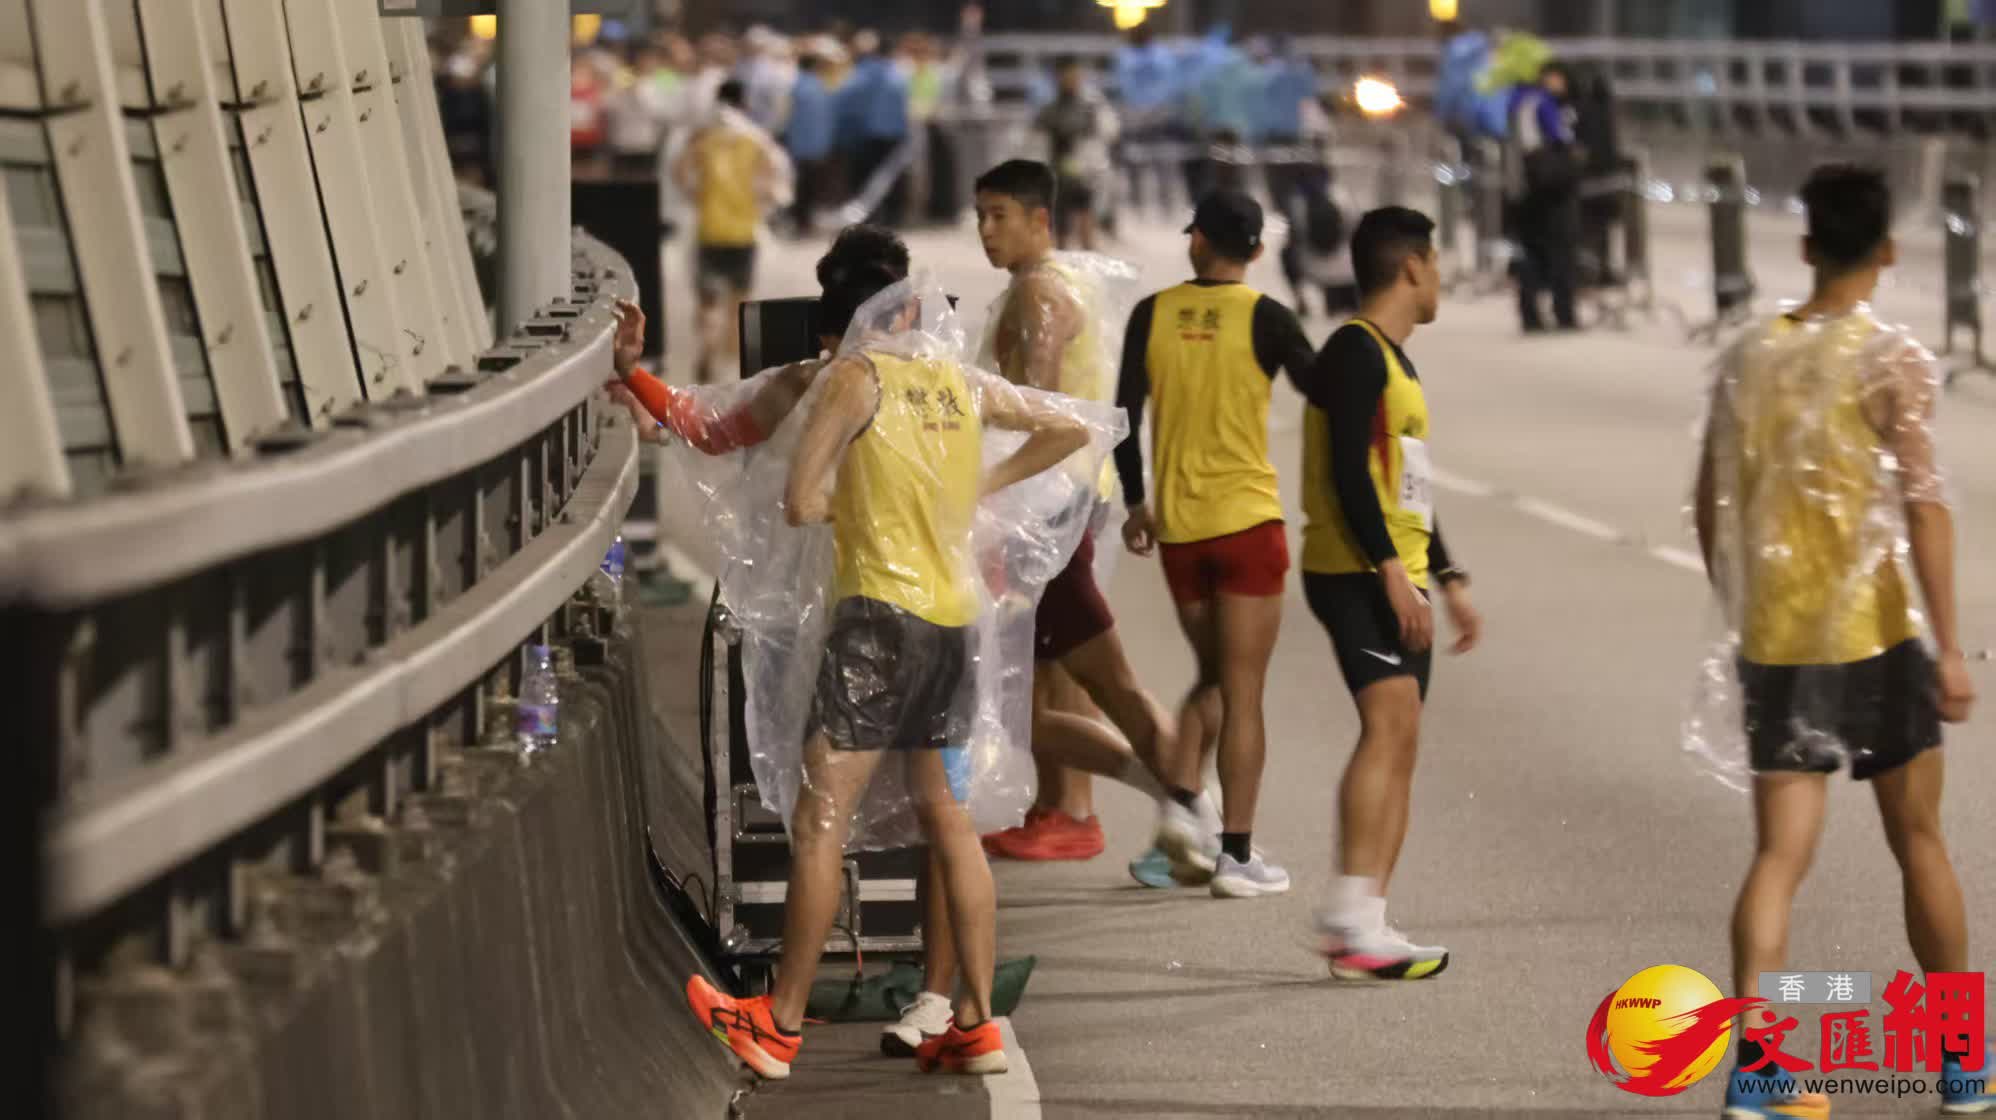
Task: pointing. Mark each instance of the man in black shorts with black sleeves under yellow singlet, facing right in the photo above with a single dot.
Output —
(1372, 552)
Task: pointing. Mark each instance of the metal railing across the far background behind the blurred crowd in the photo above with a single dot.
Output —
(1797, 87)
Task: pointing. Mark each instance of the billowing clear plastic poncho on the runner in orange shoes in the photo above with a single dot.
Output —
(907, 620)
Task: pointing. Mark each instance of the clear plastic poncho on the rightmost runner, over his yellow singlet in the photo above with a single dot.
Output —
(1819, 434)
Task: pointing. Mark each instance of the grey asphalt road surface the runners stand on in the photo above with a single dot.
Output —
(1562, 840)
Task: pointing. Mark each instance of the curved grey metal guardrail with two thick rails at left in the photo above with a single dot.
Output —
(241, 662)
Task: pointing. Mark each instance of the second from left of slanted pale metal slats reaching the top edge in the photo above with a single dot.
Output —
(201, 183)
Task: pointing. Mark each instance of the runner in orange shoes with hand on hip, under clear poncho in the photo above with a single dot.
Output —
(891, 456)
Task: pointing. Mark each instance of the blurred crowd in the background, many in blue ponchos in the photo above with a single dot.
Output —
(891, 129)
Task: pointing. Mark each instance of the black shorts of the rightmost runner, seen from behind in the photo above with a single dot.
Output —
(1879, 714)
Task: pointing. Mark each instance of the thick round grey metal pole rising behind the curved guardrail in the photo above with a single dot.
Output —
(534, 157)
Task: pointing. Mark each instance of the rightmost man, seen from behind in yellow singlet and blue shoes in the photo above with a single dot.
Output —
(1819, 508)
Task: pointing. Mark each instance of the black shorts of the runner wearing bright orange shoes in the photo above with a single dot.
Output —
(893, 682)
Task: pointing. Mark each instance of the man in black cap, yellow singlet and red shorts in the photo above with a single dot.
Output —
(1209, 350)
